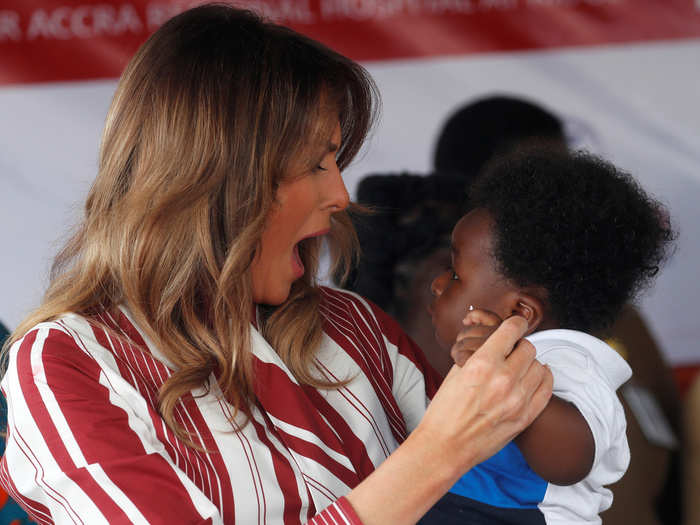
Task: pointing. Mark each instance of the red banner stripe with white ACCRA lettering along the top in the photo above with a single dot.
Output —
(68, 40)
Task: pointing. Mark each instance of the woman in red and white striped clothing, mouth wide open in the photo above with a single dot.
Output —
(184, 367)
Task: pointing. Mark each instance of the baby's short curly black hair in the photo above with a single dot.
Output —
(577, 226)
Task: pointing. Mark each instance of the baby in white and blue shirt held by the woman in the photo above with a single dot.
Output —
(563, 240)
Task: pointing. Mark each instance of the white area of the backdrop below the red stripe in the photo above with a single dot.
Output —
(636, 104)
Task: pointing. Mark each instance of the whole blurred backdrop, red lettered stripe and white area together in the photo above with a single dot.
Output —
(623, 76)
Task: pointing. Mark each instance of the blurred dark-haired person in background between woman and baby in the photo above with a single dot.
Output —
(405, 240)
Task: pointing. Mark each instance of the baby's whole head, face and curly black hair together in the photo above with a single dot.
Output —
(563, 239)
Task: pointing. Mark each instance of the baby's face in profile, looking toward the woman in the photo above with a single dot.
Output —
(472, 279)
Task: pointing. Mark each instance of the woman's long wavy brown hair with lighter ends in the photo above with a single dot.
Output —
(205, 120)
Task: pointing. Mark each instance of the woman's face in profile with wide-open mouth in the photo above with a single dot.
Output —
(304, 204)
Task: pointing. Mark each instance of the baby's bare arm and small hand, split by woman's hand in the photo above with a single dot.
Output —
(559, 444)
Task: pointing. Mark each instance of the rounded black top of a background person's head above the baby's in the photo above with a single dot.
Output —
(490, 126)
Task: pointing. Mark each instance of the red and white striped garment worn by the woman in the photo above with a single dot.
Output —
(86, 443)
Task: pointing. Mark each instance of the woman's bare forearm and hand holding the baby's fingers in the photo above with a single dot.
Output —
(477, 410)
